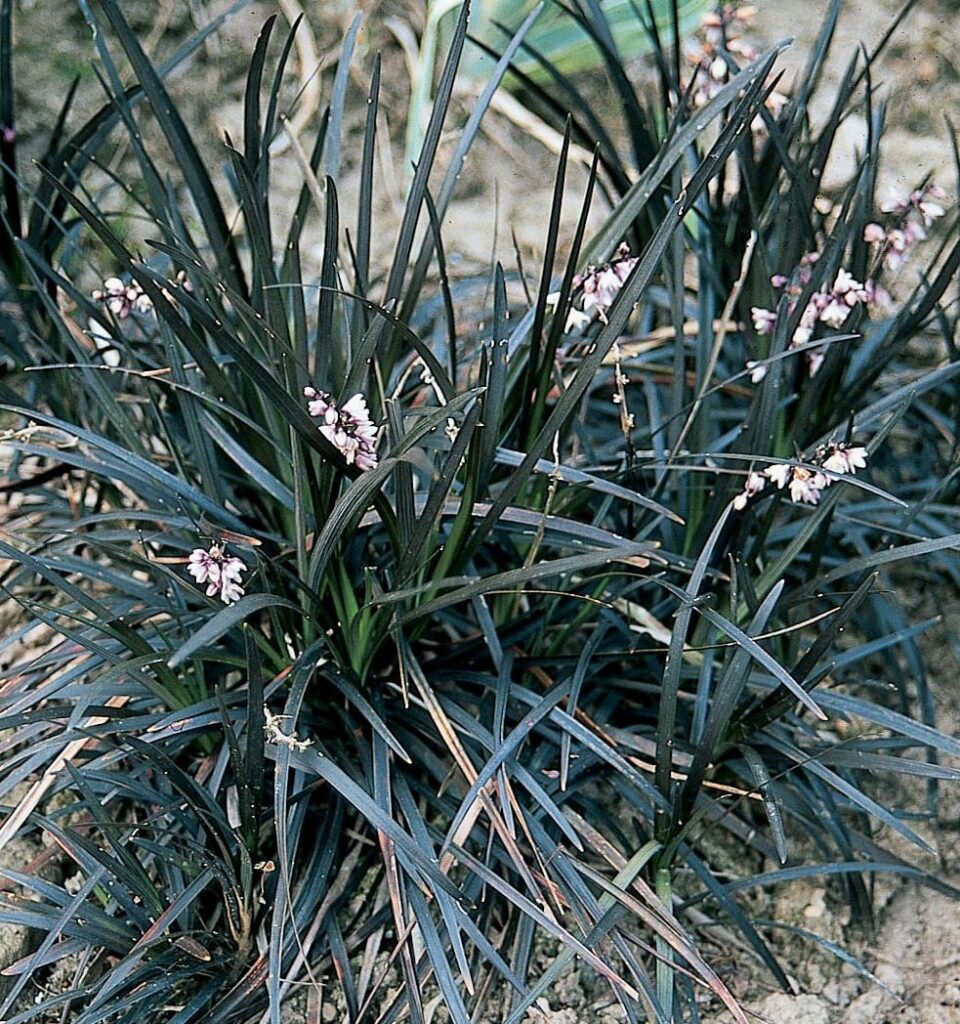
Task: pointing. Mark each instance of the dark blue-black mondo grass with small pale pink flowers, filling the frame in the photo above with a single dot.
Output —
(367, 659)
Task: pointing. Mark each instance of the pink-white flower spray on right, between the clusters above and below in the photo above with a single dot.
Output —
(831, 308)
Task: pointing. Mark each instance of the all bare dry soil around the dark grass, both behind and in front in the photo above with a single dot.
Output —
(917, 954)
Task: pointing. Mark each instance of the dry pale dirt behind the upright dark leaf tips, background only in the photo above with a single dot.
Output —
(921, 76)
